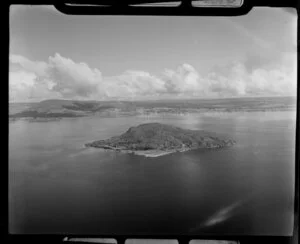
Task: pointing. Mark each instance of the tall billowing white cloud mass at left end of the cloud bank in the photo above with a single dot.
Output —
(60, 75)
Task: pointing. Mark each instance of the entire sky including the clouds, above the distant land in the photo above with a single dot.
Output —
(58, 56)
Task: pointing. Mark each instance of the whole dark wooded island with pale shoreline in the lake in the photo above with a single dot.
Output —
(155, 139)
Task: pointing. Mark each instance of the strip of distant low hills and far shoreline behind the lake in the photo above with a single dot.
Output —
(72, 108)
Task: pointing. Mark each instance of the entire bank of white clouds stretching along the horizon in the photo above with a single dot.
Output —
(61, 77)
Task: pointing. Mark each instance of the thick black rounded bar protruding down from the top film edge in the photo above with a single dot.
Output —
(124, 8)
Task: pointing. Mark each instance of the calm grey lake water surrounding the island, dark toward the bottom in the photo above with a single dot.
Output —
(58, 186)
